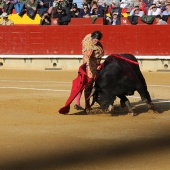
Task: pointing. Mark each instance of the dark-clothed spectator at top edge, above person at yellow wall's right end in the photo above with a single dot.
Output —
(43, 6)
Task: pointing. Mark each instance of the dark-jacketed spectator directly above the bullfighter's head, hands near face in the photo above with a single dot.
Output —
(96, 11)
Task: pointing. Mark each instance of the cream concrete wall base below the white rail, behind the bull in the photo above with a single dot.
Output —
(72, 63)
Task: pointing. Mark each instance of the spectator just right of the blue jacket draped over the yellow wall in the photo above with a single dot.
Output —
(31, 6)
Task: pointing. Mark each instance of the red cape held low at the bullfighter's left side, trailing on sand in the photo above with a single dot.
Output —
(78, 85)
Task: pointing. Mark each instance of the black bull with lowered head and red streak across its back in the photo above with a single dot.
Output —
(120, 76)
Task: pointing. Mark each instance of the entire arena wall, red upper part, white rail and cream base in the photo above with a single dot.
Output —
(59, 47)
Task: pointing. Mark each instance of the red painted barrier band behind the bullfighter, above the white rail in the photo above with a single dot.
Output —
(66, 40)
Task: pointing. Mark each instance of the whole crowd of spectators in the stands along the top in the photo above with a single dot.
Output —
(64, 10)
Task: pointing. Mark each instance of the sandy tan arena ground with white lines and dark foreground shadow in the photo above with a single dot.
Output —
(33, 135)
